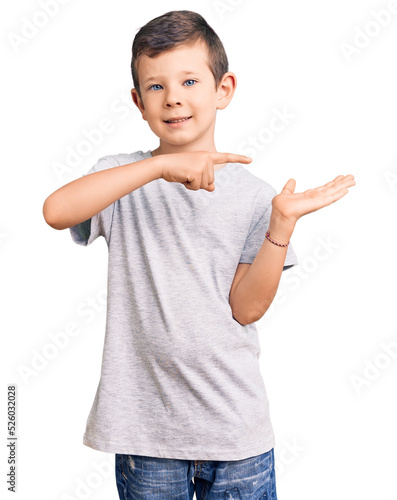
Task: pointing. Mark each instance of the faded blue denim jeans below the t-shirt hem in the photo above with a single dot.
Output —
(151, 478)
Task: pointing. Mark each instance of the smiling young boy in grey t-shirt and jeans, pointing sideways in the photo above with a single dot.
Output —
(191, 268)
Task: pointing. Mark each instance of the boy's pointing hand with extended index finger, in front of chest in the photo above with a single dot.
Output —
(195, 169)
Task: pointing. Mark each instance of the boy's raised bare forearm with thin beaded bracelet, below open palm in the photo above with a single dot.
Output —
(255, 292)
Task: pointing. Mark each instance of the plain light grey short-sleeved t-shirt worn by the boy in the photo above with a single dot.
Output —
(180, 376)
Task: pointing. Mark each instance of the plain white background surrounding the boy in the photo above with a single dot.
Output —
(332, 313)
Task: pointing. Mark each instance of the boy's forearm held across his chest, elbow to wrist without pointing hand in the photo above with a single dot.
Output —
(82, 198)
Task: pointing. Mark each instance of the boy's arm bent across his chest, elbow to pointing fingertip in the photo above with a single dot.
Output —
(85, 197)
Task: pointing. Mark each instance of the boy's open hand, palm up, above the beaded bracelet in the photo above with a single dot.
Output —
(291, 206)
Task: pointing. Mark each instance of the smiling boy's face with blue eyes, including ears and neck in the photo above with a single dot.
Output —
(179, 83)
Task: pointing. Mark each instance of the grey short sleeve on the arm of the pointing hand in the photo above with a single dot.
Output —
(100, 224)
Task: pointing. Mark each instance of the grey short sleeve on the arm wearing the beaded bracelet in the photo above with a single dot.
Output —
(257, 235)
